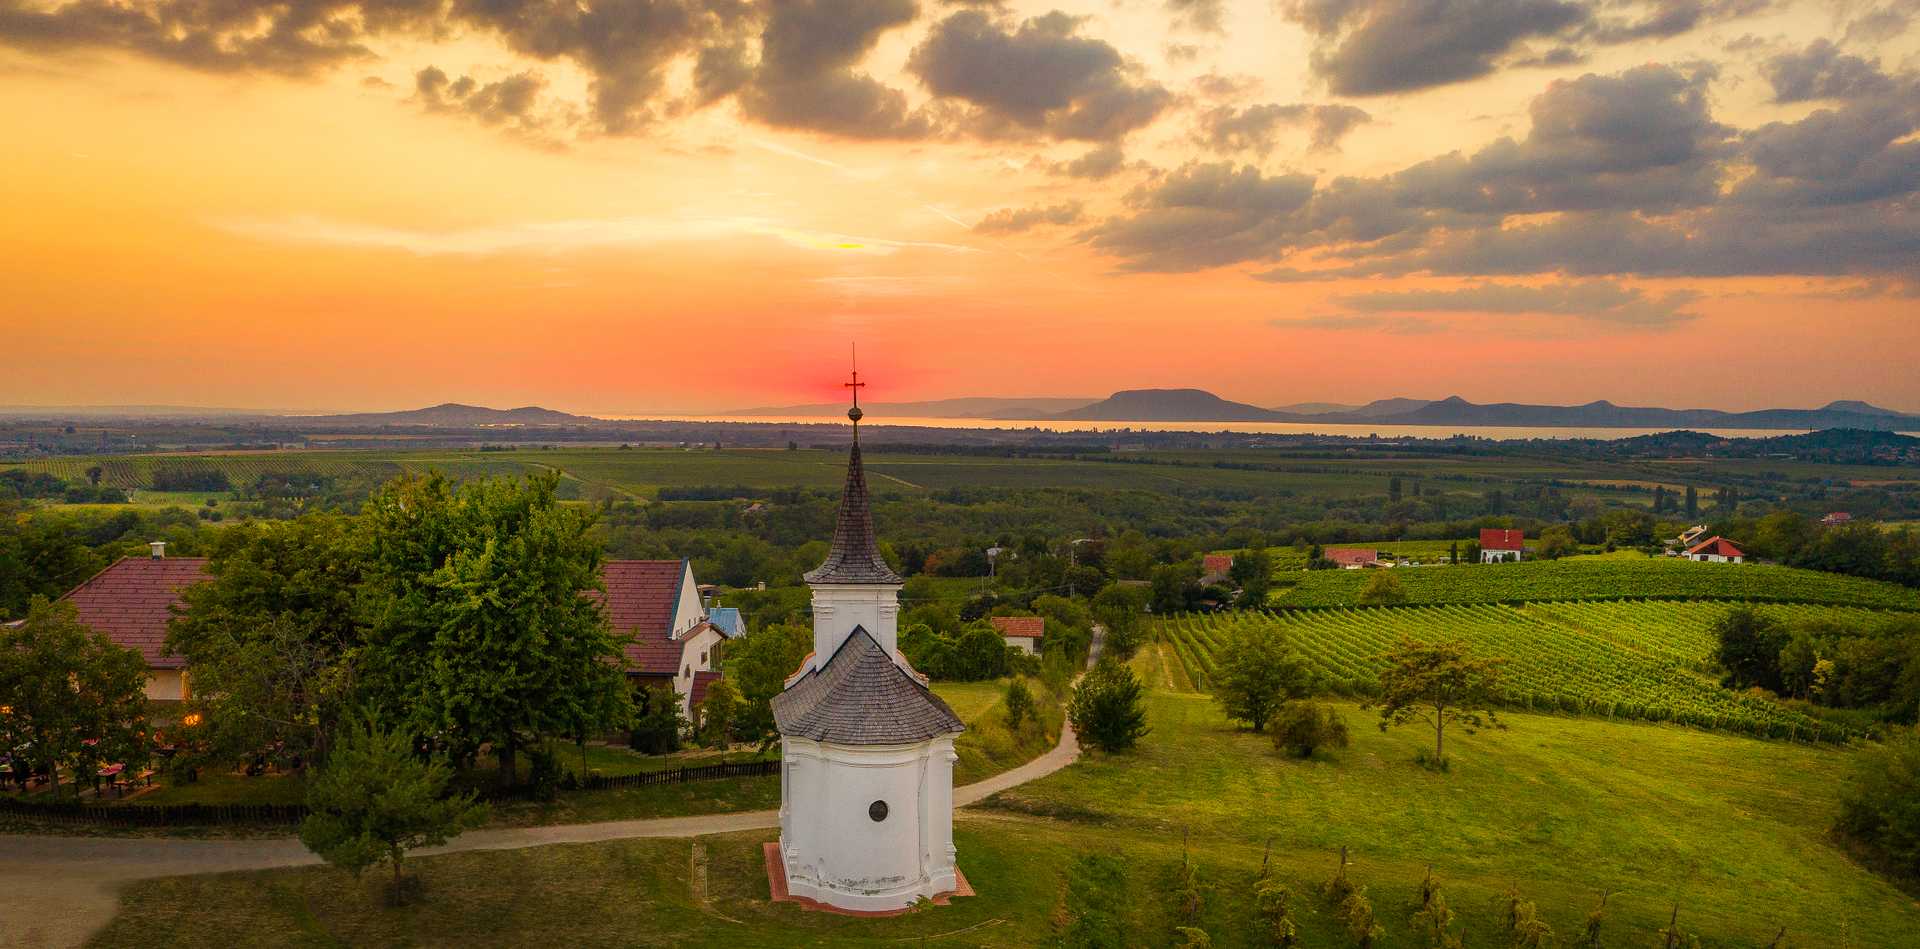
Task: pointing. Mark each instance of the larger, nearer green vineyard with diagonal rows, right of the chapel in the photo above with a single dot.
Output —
(1621, 660)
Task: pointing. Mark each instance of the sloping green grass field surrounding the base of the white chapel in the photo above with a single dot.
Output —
(1727, 827)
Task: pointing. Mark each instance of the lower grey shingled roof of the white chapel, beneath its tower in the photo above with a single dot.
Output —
(863, 698)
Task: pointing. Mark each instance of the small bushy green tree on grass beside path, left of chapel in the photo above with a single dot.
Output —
(377, 800)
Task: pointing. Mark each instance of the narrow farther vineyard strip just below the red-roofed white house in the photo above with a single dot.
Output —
(1600, 579)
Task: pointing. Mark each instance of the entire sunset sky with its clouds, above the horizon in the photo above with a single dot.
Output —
(669, 207)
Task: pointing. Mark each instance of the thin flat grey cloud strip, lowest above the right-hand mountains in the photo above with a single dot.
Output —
(1596, 301)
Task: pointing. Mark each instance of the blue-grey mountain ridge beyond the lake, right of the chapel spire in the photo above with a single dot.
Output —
(1201, 406)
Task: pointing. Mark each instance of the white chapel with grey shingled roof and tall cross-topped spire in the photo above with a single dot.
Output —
(867, 817)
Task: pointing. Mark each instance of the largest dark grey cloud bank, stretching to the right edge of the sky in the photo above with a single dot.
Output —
(1620, 176)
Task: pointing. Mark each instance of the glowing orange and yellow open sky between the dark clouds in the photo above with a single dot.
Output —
(176, 233)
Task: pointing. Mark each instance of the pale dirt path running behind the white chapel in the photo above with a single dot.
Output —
(60, 890)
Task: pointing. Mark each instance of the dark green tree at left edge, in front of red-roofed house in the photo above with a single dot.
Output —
(74, 698)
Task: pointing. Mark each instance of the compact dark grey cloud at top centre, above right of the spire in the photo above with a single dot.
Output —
(1042, 78)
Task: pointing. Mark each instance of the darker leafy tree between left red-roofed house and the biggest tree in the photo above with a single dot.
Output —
(270, 639)
